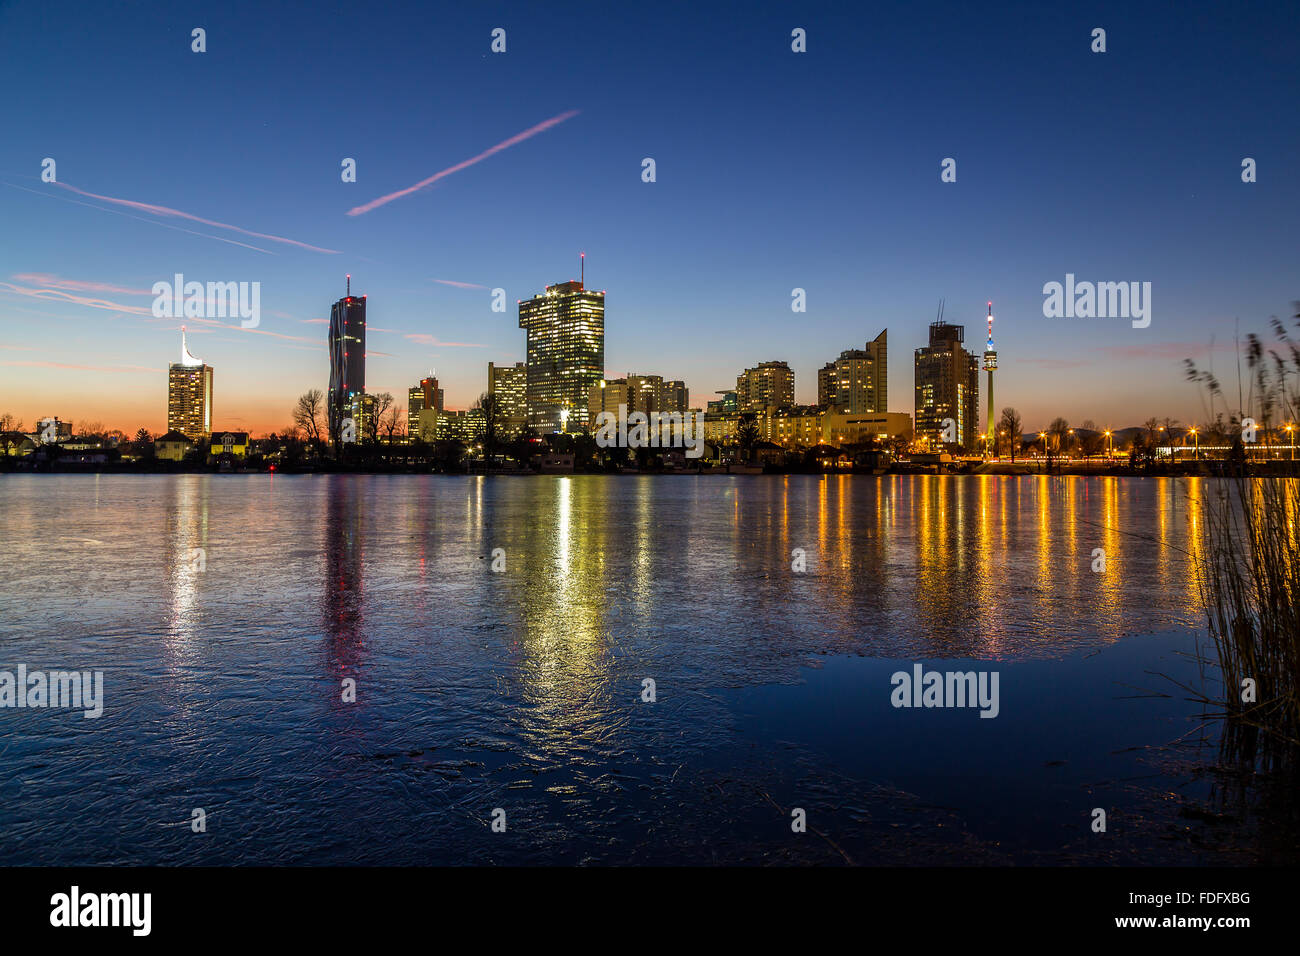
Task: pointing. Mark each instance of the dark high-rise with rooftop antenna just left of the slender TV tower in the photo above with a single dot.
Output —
(947, 380)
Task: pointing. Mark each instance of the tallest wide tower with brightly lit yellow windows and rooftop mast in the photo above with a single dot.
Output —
(566, 354)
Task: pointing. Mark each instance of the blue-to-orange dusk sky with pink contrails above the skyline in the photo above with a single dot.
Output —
(775, 171)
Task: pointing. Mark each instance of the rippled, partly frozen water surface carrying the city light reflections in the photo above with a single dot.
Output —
(478, 689)
